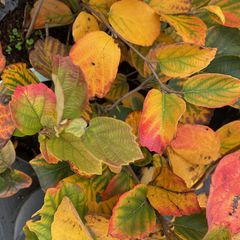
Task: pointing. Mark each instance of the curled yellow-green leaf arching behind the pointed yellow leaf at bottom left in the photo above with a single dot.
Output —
(53, 198)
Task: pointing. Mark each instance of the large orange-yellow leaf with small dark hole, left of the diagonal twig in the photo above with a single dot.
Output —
(95, 63)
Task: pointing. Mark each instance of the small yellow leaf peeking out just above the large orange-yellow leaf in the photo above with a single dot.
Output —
(83, 24)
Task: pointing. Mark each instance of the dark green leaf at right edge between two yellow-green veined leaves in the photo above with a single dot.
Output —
(229, 65)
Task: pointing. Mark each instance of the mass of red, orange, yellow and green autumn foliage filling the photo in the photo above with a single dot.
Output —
(124, 130)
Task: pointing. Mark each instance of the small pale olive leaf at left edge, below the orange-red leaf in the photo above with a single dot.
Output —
(7, 156)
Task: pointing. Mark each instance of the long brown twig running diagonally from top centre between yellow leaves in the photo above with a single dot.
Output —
(148, 62)
